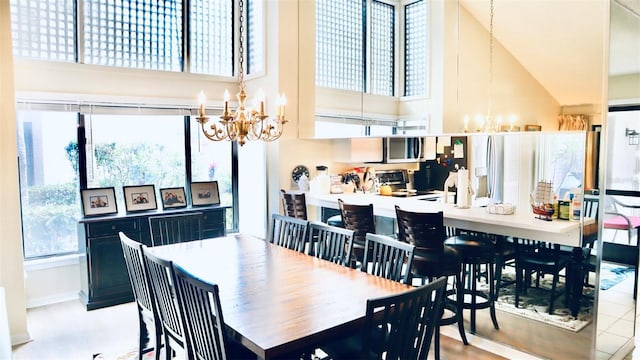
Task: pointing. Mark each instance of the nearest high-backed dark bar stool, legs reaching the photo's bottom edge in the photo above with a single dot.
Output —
(432, 259)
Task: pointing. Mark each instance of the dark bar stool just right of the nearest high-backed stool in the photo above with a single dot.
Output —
(476, 251)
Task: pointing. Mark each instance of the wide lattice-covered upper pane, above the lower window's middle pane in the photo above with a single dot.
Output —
(143, 34)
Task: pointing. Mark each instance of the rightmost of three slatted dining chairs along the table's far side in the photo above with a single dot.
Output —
(389, 258)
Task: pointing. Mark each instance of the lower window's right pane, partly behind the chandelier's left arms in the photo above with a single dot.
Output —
(212, 161)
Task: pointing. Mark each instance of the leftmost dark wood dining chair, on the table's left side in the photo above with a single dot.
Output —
(145, 301)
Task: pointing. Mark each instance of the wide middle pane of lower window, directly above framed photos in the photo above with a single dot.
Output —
(135, 150)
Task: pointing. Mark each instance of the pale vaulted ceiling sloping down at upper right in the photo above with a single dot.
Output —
(560, 42)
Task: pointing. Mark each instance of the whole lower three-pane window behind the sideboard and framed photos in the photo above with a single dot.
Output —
(124, 147)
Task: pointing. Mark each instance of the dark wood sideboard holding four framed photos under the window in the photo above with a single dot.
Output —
(106, 281)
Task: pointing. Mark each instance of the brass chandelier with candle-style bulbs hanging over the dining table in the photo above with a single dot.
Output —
(243, 124)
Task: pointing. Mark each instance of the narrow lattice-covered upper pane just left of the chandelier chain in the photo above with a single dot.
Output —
(211, 37)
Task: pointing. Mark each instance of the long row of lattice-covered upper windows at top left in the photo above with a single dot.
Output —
(143, 34)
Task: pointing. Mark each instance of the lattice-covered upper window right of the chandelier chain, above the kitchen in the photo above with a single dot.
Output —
(356, 47)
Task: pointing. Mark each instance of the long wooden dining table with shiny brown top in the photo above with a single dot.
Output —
(277, 301)
